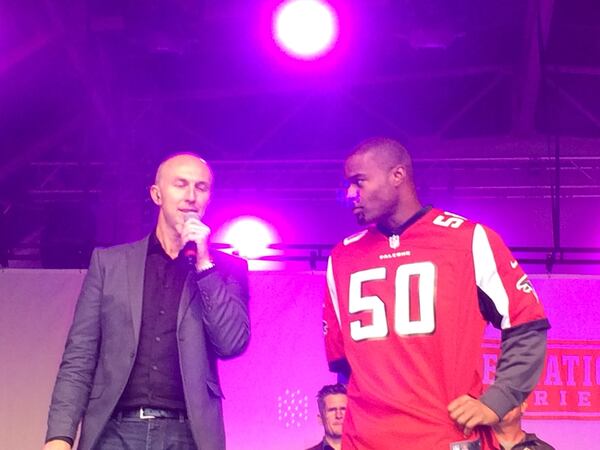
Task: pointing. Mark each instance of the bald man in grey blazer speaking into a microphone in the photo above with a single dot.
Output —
(139, 370)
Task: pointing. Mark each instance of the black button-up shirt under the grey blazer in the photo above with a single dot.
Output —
(155, 380)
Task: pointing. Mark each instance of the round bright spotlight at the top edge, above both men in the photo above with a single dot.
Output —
(305, 29)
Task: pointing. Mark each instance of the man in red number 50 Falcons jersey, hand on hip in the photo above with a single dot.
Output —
(407, 302)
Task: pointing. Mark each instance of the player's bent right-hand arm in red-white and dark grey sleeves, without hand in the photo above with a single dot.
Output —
(508, 300)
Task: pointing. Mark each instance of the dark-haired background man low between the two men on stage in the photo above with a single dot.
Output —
(332, 400)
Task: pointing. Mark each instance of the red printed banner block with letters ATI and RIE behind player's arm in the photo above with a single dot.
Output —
(569, 387)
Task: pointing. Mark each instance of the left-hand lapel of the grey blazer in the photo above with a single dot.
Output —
(136, 264)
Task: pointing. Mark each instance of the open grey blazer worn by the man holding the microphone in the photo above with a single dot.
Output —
(102, 343)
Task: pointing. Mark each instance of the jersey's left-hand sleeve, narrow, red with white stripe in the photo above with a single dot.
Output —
(334, 344)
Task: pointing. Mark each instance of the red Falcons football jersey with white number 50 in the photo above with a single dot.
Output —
(404, 312)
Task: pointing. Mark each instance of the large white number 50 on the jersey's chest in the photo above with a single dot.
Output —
(403, 326)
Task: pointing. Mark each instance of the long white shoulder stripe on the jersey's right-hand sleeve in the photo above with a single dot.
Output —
(486, 274)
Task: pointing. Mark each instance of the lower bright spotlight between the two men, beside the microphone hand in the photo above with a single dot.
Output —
(250, 236)
